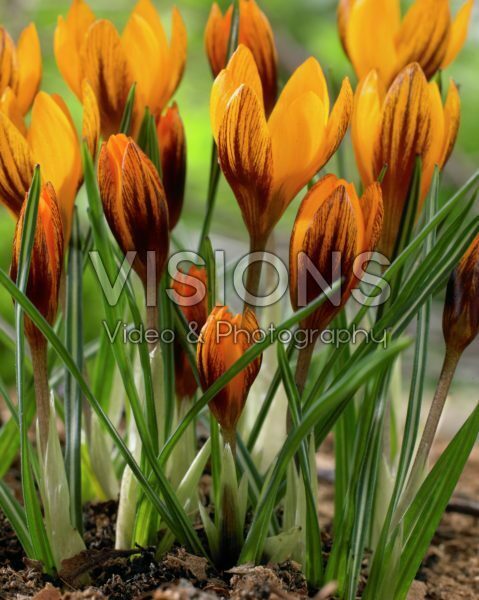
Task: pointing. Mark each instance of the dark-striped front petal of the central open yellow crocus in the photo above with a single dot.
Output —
(245, 154)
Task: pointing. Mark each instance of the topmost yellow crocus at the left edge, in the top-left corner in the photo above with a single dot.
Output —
(20, 69)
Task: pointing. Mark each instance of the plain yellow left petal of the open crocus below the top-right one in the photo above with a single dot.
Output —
(366, 124)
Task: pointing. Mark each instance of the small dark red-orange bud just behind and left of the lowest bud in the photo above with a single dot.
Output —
(190, 293)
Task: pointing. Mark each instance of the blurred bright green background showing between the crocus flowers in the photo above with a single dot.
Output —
(302, 28)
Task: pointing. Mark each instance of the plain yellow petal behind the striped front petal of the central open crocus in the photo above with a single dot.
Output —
(241, 70)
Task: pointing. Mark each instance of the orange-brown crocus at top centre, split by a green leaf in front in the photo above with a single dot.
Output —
(255, 33)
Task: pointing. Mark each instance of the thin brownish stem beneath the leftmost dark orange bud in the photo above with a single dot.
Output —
(42, 394)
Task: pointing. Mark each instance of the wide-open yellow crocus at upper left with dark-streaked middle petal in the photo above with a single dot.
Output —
(92, 49)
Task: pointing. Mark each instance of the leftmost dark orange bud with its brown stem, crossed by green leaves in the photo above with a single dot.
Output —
(42, 290)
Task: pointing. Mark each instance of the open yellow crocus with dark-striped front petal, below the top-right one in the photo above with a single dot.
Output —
(392, 128)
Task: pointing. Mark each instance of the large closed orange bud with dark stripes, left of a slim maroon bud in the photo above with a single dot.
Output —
(134, 203)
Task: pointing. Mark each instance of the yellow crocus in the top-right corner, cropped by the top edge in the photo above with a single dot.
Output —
(375, 37)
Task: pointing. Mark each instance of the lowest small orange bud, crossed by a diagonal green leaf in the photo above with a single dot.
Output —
(224, 339)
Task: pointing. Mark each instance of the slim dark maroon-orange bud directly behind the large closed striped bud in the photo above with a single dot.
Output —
(172, 142)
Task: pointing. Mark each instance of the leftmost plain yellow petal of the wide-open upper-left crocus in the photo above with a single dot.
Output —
(68, 40)
